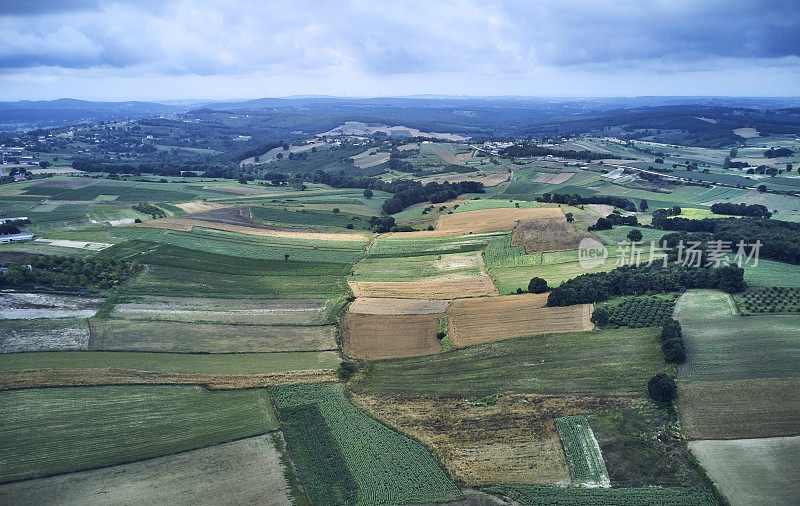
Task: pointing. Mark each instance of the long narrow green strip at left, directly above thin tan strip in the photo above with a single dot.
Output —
(227, 363)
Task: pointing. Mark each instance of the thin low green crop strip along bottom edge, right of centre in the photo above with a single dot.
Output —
(554, 496)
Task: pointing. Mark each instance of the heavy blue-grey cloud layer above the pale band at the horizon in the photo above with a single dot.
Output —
(208, 37)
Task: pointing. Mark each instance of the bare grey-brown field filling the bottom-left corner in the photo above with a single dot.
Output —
(242, 472)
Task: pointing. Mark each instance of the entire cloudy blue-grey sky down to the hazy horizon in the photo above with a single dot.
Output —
(234, 49)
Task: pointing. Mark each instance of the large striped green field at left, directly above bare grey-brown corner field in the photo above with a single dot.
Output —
(58, 430)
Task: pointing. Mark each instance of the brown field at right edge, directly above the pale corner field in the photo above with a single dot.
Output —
(740, 409)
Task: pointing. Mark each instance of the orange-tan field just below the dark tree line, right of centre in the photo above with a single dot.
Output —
(494, 321)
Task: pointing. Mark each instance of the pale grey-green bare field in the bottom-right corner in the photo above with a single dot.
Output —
(753, 471)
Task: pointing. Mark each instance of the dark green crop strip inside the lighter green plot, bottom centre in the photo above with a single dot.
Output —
(325, 474)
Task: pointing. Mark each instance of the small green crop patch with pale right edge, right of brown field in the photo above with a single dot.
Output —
(582, 451)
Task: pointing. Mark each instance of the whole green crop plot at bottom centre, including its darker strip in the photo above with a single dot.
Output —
(385, 467)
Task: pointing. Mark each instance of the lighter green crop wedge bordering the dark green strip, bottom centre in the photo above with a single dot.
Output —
(388, 467)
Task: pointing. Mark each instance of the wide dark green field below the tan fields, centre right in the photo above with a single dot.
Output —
(599, 361)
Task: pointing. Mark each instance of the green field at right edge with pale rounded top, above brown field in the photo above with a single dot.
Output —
(724, 346)
